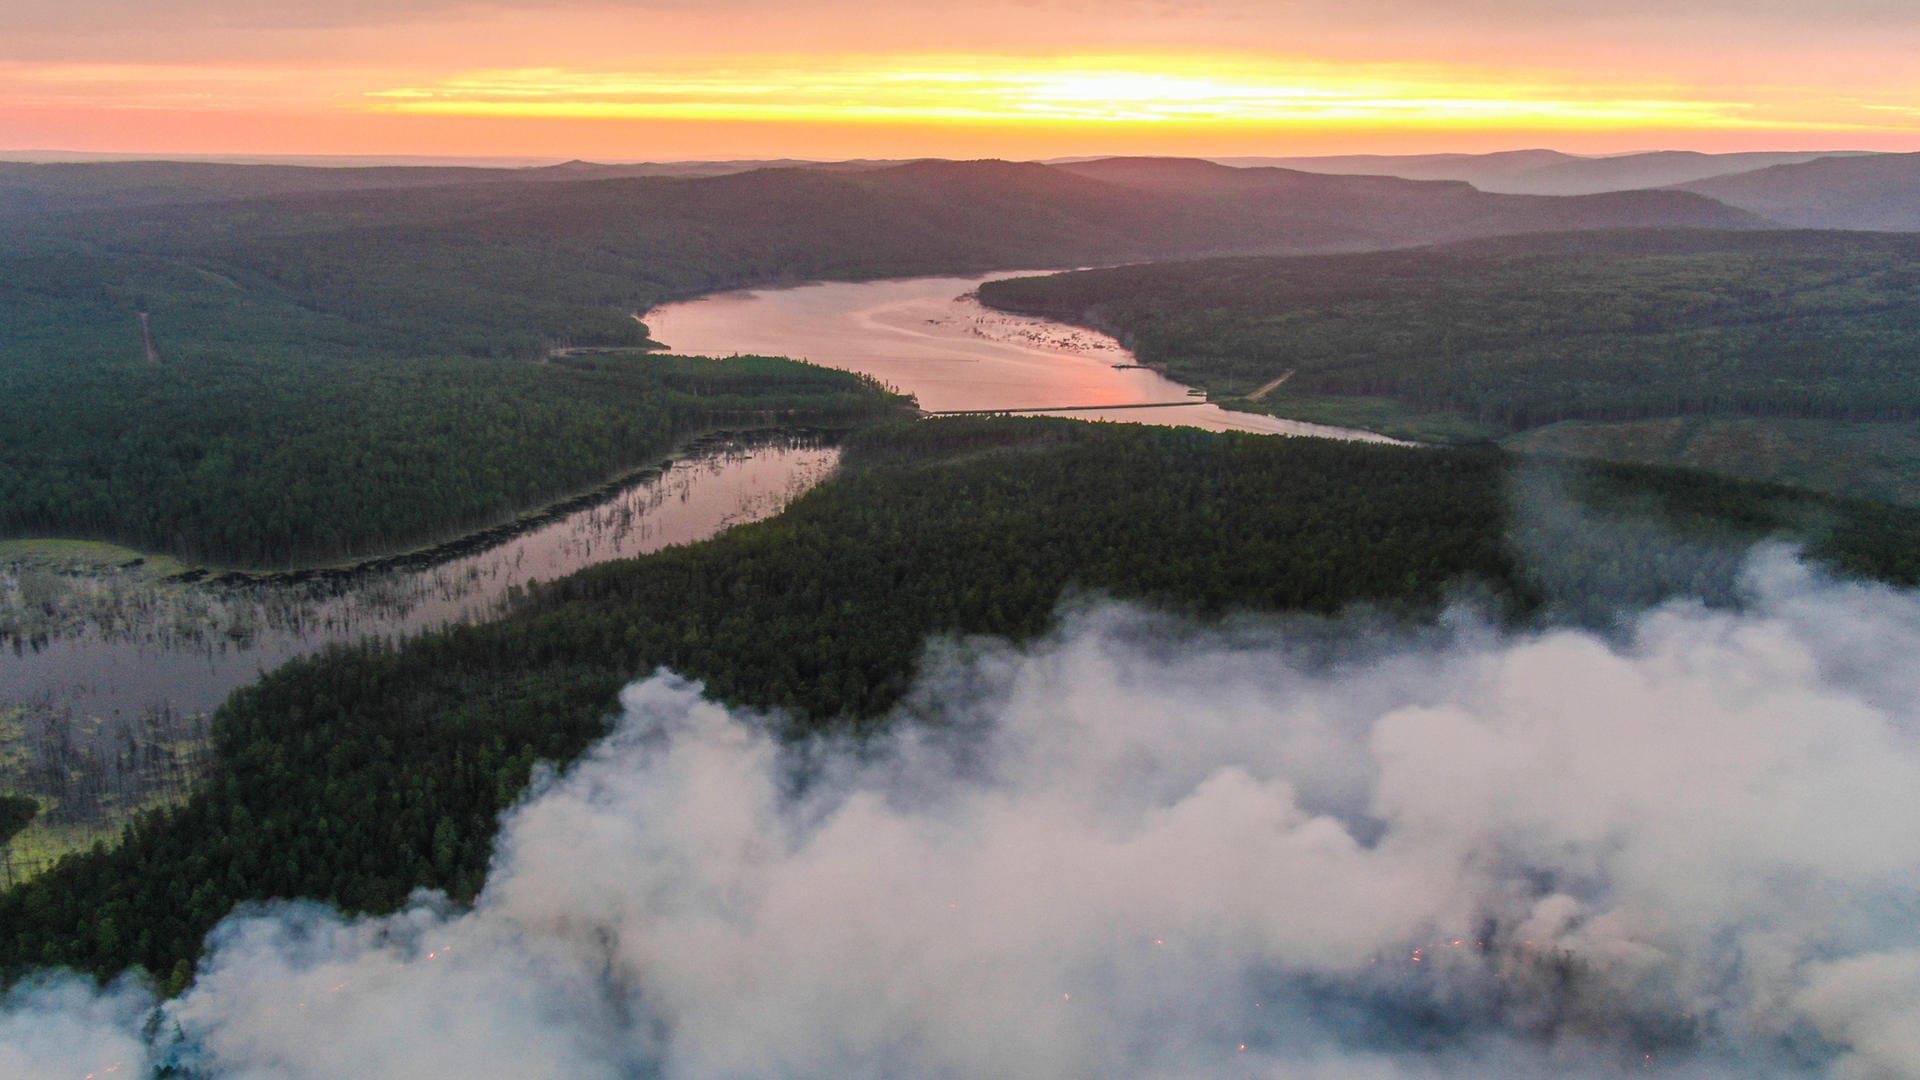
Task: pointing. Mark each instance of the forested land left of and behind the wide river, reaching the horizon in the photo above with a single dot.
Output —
(345, 360)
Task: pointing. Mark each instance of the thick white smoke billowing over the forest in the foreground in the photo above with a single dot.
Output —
(1149, 850)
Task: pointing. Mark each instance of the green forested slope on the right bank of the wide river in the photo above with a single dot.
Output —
(1495, 337)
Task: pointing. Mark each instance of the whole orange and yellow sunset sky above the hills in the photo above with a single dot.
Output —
(665, 80)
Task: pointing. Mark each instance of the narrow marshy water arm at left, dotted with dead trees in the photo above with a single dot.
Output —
(116, 645)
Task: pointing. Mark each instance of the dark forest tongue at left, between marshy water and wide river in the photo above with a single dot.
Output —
(262, 464)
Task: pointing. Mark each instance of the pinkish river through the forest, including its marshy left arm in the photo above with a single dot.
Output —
(99, 654)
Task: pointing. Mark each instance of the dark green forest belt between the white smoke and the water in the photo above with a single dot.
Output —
(364, 773)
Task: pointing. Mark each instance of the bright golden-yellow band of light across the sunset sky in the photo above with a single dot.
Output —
(1132, 91)
